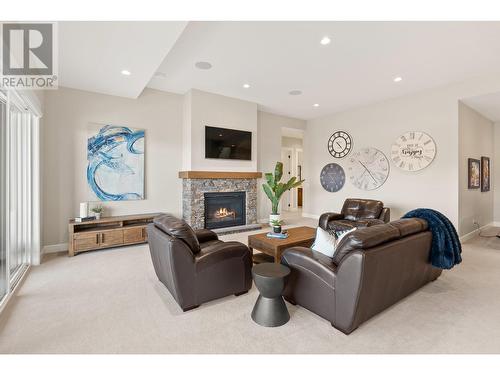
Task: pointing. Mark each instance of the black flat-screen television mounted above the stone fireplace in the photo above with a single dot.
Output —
(221, 143)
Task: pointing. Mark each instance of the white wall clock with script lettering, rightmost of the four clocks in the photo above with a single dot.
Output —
(413, 151)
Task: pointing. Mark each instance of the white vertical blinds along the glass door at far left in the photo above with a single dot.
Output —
(19, 209)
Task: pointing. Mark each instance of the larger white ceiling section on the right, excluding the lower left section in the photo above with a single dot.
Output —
(357, 68)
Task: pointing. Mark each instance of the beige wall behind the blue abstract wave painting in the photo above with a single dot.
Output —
(67, 116)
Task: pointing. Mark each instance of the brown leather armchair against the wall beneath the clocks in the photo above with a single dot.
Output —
(356, 213)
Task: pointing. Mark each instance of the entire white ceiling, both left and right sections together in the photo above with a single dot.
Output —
(356, 69)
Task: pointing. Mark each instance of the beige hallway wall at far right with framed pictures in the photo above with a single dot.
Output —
(476, 139)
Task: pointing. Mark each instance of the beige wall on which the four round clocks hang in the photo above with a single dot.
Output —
(433, 111)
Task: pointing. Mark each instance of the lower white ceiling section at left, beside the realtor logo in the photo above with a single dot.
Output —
(93, 54)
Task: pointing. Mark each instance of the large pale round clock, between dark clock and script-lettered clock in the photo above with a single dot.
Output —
(369, 168)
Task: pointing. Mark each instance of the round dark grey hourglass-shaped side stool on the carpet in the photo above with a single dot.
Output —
(270, 309)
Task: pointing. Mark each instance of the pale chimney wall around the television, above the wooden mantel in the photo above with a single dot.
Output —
(206, 109)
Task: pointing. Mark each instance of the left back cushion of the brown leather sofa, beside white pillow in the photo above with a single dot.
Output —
(365, 238)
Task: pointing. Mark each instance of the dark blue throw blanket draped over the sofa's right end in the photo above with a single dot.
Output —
(446, 247)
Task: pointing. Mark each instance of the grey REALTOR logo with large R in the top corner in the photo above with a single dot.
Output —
(28, 56)
